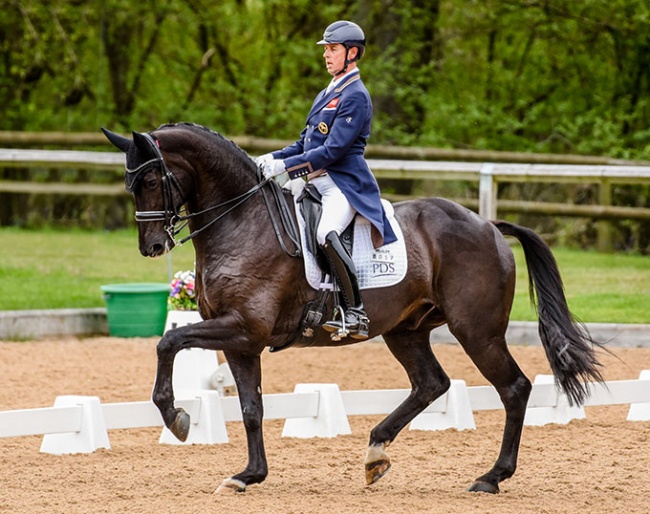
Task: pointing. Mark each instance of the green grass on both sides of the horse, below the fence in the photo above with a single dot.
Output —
(55, 269)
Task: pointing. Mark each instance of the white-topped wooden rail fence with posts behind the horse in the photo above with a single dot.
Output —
(487, 174)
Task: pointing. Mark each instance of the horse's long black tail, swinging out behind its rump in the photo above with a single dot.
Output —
(569, 347)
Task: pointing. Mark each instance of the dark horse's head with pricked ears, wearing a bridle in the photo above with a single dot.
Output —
(156, 191)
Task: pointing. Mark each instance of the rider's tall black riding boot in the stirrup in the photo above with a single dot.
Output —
(355, 318)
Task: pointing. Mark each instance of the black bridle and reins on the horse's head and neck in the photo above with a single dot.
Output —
(174, 221)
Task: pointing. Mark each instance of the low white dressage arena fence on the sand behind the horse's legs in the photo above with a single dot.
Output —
(80, 424)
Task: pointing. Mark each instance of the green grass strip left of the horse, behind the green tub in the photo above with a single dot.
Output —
(56, 269)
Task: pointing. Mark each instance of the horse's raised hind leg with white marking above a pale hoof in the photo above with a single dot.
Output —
(428, 382)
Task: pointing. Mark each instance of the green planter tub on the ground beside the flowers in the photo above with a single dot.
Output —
(136, 310)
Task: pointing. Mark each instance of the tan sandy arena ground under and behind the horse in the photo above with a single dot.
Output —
(597, 465)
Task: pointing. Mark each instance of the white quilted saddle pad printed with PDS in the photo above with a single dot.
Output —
(381, 267)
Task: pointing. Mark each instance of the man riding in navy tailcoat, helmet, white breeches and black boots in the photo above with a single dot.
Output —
(329, 154)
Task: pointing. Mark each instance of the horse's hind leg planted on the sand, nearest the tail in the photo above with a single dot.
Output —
(494, 361)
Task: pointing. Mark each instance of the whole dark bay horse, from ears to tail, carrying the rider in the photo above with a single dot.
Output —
(251, 292)
